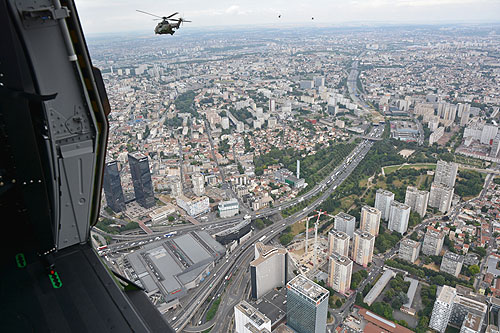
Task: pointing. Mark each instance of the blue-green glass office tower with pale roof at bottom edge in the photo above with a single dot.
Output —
(307, 305)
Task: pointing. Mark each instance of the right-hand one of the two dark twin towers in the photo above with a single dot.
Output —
(141, 177)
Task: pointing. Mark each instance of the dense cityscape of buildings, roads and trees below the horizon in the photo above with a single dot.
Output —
(306, 180)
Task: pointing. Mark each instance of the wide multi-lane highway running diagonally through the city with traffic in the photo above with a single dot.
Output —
(324, 188)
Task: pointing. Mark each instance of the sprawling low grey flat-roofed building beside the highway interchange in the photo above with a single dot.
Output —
(175, 265)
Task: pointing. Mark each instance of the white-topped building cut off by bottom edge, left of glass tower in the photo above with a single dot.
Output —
(248, 319)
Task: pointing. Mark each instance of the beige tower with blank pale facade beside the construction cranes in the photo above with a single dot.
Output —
(269, 269)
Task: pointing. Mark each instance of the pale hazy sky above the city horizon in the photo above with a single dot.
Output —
(101, 16)
